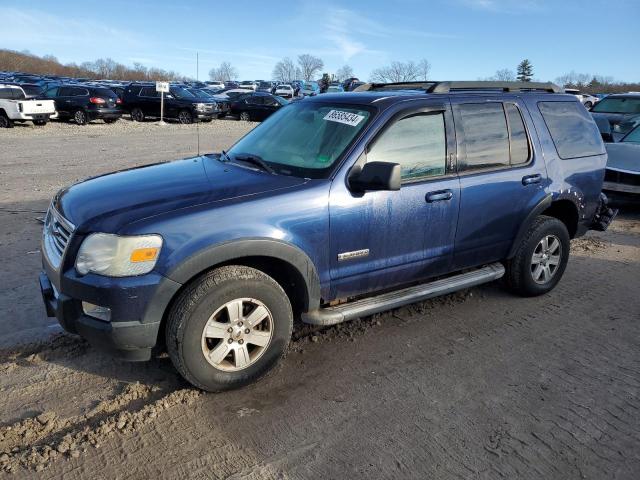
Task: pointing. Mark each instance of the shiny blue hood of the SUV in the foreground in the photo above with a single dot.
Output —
(109, 202)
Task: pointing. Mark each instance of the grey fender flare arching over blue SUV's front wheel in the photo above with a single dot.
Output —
(252, 247)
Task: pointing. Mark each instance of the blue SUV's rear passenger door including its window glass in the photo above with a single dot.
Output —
(502, 176)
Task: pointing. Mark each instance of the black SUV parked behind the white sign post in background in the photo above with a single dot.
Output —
(142, 101)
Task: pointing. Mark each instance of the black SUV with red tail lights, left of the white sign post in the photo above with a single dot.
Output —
(83, 103)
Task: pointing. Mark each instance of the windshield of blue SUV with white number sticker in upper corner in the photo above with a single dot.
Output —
(304, 139)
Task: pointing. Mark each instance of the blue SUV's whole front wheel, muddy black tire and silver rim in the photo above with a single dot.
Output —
(206, 303)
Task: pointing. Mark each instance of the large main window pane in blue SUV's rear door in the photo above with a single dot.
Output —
(486, 138)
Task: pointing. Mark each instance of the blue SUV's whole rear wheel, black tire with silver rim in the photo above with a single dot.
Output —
(523, 272)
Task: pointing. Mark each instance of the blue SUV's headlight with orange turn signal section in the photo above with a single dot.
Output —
(116, 256)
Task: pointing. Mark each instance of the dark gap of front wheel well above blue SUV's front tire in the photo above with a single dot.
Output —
(287, 276)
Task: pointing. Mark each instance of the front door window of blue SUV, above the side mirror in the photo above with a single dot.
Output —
(417, 143)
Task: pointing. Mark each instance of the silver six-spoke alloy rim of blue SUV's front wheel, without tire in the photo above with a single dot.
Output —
(237, 334)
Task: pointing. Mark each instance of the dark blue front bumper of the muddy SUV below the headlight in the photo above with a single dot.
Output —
(137, 306)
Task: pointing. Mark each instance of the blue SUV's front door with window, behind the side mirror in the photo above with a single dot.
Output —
(384, 239)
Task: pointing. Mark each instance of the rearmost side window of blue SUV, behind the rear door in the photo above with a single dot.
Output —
(573, 131)
